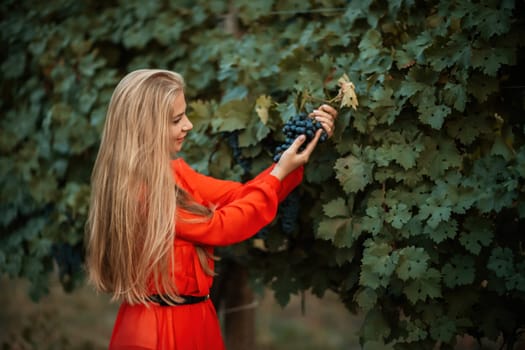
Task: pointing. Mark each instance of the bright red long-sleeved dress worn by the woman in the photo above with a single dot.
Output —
(241, 211)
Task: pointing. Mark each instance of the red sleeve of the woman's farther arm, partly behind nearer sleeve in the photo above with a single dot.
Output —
(221, 192)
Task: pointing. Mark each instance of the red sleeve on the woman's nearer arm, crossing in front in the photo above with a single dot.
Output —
(254, 208)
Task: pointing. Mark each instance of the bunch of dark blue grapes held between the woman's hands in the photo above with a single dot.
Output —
(300, 124)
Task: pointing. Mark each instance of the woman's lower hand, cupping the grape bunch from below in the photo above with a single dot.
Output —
(291, 159)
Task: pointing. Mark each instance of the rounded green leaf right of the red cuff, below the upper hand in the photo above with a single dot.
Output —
(353, 174)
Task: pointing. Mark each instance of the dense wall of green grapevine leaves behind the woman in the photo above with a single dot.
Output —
(413, 213)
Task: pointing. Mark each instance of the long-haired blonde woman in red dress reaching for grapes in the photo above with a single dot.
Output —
(153, 220)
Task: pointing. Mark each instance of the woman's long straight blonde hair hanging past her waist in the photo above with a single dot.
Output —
(130, 230)
